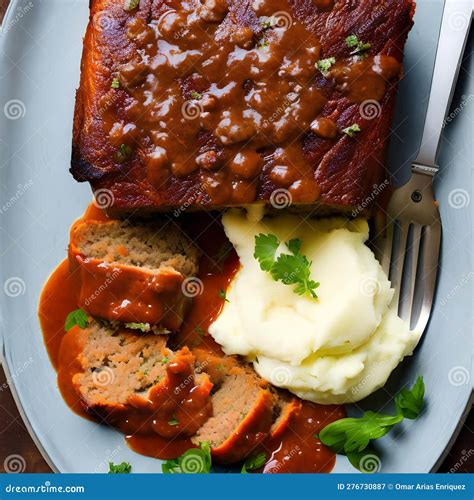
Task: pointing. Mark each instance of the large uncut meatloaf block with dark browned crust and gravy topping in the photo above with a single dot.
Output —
(278, 124)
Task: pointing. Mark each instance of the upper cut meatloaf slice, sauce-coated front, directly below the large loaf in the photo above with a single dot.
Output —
(134, 273)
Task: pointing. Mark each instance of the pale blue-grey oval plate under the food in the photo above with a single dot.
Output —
(41, 46)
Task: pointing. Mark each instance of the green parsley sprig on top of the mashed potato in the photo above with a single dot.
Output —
(289, 269)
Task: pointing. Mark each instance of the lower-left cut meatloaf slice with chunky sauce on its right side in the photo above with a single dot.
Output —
(135, 383)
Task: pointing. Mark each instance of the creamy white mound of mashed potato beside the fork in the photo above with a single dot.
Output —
(336, 349)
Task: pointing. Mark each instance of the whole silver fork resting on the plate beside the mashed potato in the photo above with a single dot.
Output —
(408, 240)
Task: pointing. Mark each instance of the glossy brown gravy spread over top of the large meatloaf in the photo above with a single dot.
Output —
(254, 92)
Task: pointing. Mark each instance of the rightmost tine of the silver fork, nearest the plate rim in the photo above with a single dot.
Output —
(432, 243)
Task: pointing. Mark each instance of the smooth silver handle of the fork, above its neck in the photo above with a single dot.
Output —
(454, 32)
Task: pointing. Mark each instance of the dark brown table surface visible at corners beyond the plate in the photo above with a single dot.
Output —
(15, 439)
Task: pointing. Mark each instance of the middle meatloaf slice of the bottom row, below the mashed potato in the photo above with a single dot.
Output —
(242, 416)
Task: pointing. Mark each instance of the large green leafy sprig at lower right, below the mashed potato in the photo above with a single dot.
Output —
(351, 436)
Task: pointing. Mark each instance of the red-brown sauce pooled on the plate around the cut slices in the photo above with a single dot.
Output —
(295, 450)
